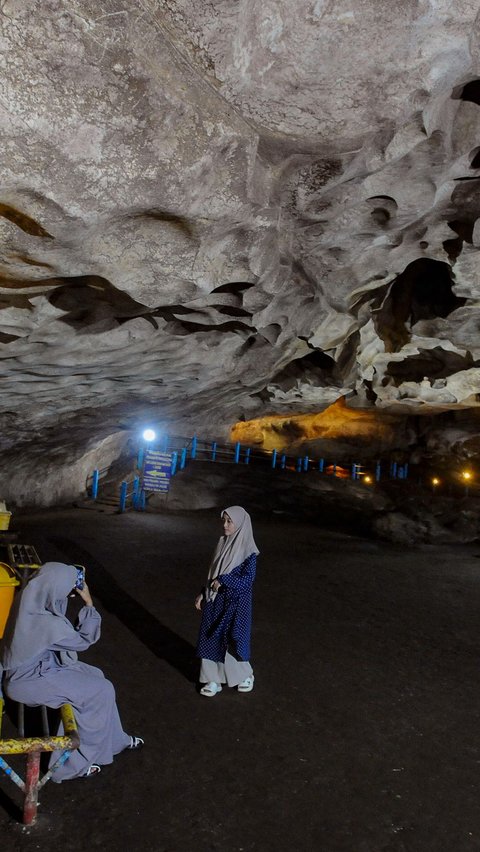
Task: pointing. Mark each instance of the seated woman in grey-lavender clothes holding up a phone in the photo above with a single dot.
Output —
(39, 655)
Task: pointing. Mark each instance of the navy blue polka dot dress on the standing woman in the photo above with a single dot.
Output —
(227, 619)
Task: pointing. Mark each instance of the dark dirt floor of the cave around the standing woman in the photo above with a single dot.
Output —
(362, 733)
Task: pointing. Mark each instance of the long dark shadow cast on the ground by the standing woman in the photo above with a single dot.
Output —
(162, 641)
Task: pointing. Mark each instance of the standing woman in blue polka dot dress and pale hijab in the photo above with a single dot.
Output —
(226, 605)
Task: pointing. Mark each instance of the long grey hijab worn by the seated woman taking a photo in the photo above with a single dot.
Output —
(37, 619)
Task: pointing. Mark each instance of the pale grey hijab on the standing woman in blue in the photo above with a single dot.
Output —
(232, 550)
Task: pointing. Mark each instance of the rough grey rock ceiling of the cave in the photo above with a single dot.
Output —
(213, 210)
